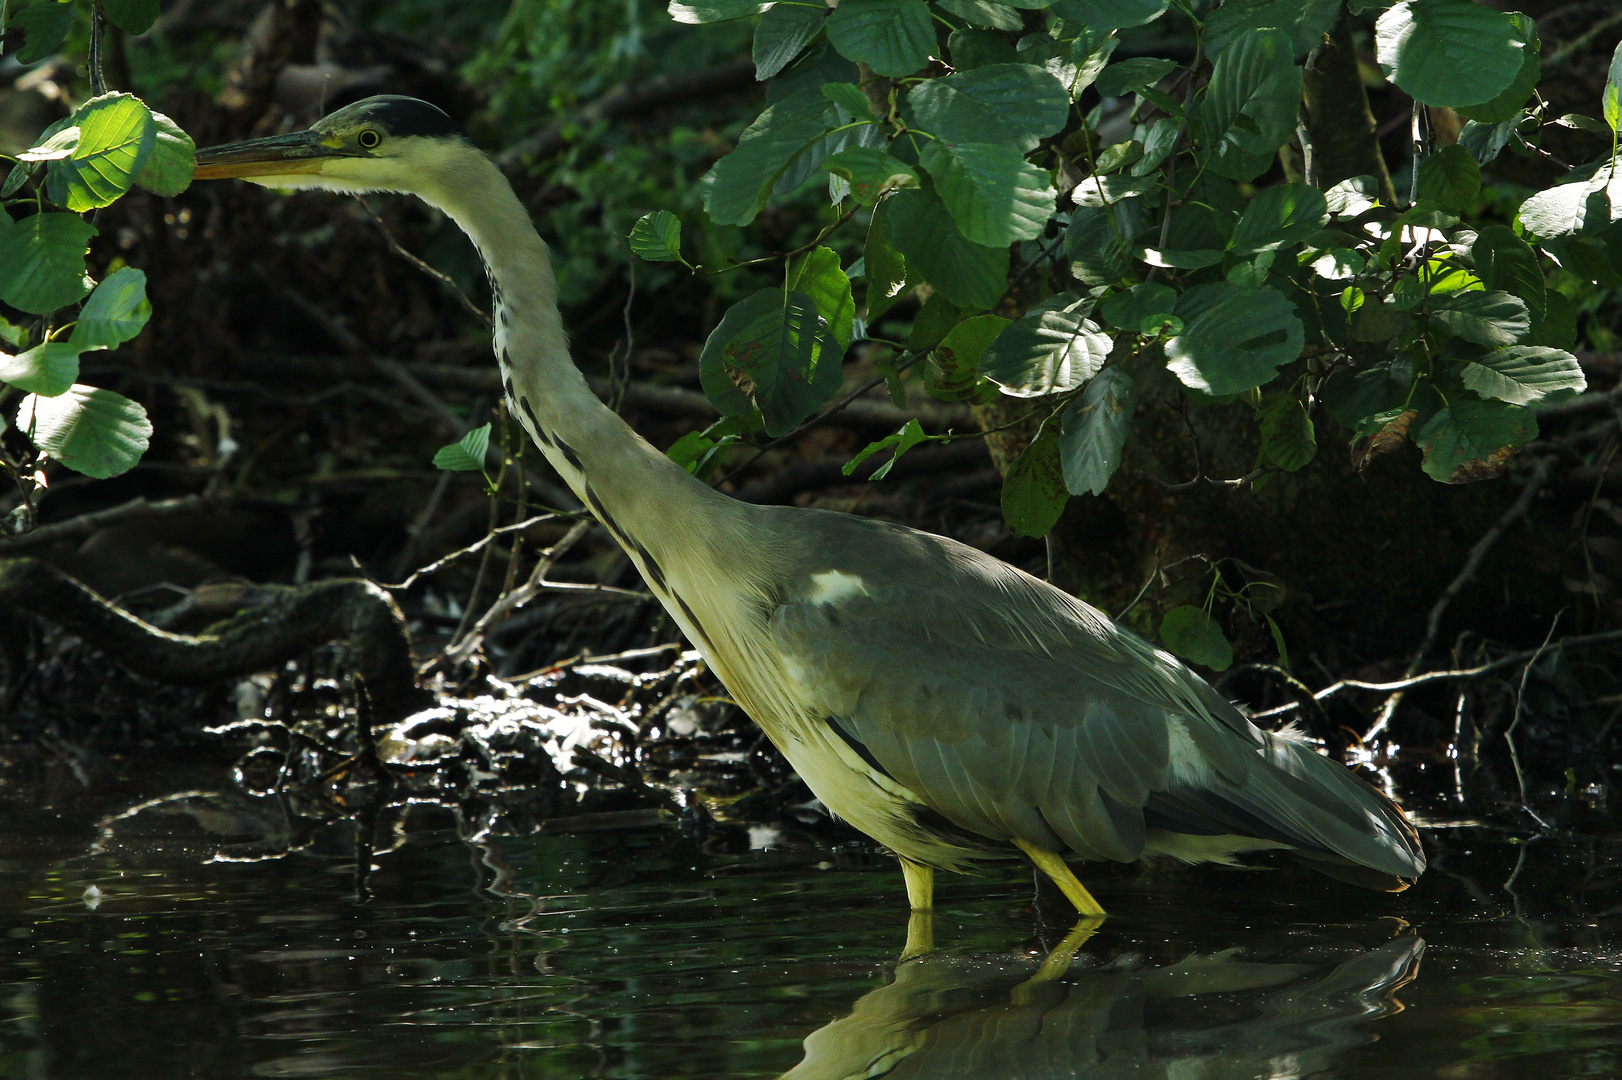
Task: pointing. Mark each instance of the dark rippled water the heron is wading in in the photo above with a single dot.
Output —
(137, 951)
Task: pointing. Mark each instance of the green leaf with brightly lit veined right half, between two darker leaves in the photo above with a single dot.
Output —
(992, 192)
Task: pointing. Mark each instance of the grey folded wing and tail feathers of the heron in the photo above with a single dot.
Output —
(1016, 711)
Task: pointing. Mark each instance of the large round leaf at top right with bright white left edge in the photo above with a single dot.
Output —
(1449, 53)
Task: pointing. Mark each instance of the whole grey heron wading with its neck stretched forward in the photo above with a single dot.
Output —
(942, 701)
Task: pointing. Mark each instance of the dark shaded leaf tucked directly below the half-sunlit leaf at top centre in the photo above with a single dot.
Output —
(968, 273)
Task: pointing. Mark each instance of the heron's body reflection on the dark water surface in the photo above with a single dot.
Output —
(1211, 1018)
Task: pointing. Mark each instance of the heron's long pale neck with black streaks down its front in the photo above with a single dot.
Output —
(643, 497)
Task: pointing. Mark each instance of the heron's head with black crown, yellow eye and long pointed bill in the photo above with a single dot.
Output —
(385, 144)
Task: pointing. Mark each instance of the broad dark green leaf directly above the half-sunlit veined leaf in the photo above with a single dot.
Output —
(1015, 105)
